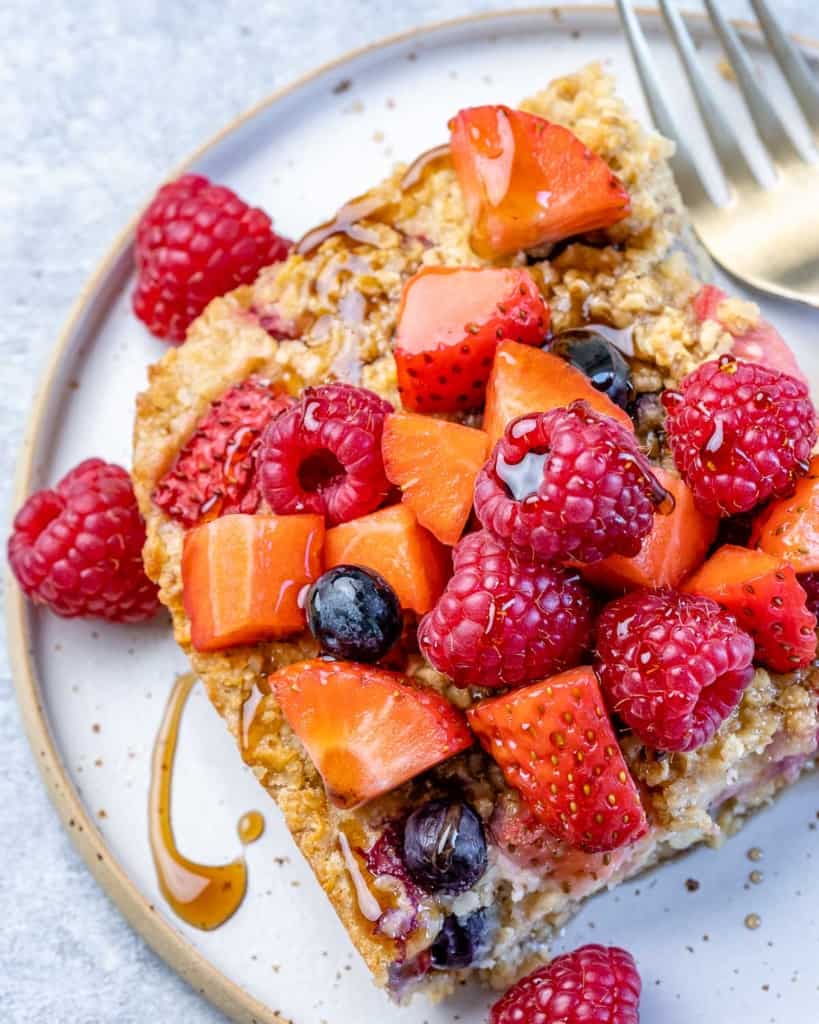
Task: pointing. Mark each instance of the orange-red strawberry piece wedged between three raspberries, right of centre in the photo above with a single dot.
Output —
(677, 545)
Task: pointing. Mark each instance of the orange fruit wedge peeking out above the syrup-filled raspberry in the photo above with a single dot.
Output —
(528, 380)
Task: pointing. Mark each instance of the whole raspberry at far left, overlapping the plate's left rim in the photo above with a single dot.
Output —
(78, 549)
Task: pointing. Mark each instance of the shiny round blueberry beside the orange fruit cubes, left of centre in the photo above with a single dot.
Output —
(354, 614)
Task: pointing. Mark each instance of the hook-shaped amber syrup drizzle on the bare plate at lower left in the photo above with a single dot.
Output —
(203, 895)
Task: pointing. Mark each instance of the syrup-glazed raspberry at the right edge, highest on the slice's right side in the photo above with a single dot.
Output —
(741, 434)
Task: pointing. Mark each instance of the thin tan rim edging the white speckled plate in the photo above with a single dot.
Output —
(193, 966)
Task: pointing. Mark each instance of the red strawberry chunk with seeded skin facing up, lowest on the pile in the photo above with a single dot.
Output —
(556, 746)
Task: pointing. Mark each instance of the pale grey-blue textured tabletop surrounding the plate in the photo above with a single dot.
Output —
(87, 130)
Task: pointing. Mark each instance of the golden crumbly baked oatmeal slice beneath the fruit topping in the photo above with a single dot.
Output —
(329, 314)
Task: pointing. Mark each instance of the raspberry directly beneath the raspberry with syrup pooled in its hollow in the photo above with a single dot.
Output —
(504, 621)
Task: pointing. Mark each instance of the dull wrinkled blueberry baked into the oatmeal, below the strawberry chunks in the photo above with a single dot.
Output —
(445, 848)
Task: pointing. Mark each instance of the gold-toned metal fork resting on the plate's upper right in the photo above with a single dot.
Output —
(765, 235)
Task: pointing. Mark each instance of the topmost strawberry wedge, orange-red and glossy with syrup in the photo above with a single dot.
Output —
(528, 182)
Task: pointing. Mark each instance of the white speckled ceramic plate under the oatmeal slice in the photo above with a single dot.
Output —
(93, 697)
